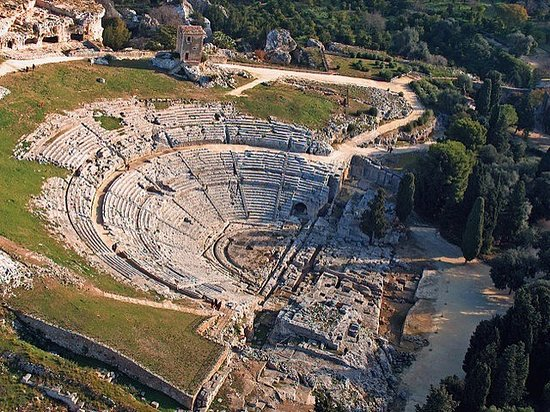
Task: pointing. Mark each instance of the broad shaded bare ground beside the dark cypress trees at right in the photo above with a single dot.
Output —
(465, 297)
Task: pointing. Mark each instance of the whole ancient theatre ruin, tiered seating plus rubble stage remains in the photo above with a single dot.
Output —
(193, 199)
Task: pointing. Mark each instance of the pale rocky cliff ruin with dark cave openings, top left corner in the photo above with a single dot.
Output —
(35, 22)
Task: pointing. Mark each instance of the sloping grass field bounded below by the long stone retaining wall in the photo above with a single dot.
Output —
(165, 341)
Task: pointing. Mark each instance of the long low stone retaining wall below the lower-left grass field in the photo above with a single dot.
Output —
(85, 346)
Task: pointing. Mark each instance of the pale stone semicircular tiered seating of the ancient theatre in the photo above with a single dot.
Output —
(147, 201)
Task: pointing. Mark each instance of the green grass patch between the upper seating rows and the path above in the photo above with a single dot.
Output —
(288, 103)
